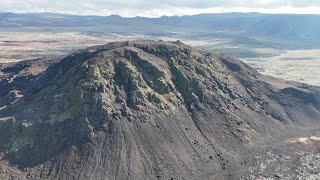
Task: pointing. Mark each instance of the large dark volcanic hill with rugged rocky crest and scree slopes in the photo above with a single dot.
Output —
(145, 110)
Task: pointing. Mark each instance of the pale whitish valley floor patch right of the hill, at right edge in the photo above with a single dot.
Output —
(295, 65)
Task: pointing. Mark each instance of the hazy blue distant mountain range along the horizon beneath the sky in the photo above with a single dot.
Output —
(284, 26)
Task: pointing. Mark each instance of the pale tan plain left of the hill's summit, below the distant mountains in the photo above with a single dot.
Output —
(19, 46)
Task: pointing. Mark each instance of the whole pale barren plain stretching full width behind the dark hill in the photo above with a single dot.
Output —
(296, 65)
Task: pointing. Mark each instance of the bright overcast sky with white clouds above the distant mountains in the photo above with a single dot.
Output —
(149, 8)
